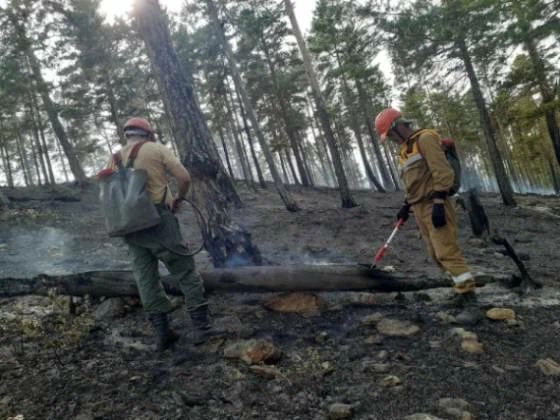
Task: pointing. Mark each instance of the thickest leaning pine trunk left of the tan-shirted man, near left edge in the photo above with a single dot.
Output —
(52, 113)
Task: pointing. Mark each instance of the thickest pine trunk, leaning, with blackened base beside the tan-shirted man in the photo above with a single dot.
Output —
(213, 190)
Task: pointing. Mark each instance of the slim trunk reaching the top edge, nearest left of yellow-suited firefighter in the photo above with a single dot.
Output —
(345, 193)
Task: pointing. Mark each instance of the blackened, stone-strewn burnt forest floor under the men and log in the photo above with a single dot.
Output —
(351, 360)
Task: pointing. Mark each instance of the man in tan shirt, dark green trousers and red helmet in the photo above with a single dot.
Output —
(162, 242)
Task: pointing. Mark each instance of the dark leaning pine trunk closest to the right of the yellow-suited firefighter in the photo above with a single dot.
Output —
(489, 134)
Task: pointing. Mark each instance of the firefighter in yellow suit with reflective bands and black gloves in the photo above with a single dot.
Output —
(429, 180)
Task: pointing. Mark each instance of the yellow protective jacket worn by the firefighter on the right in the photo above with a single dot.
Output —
(424, 167)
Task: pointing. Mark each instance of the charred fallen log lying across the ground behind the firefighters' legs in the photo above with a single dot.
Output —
(244, 279)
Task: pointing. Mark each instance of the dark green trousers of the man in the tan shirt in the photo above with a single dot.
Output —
(164, 243)
